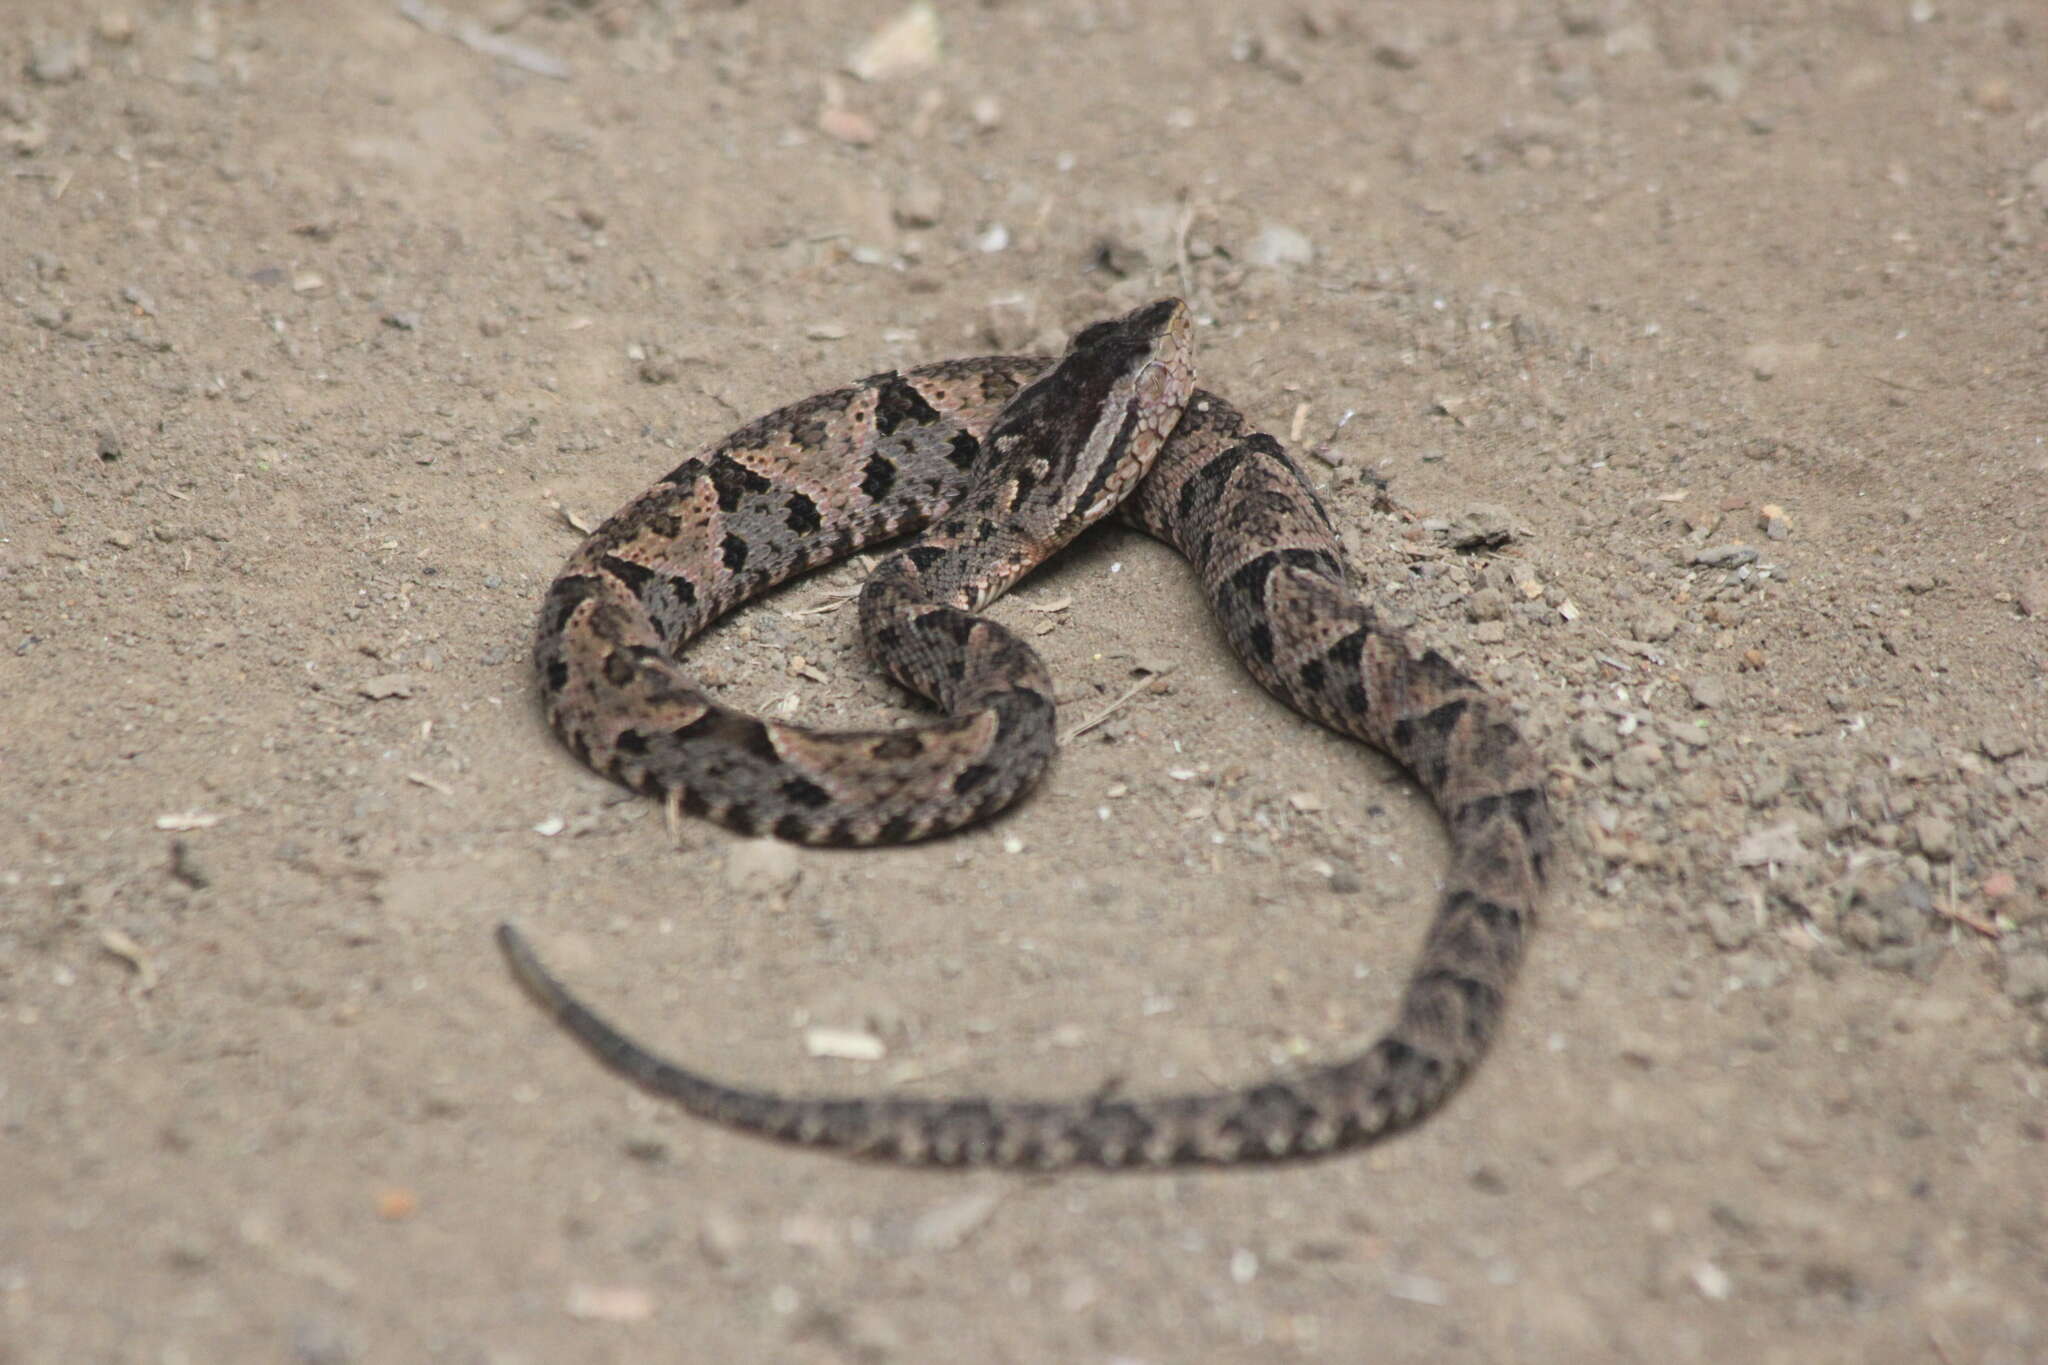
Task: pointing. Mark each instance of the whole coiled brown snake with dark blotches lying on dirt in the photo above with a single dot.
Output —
(1000, 461)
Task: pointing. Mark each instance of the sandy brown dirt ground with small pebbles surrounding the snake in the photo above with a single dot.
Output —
(1703, 355)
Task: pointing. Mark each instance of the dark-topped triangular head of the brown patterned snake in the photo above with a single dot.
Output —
(1072, 445)
